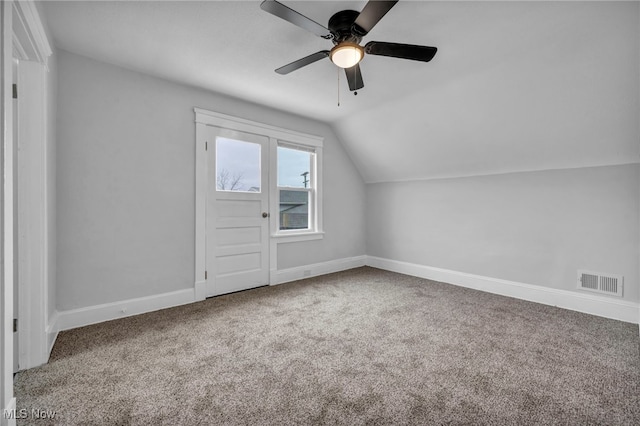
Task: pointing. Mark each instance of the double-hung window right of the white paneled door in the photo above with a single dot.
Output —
(297, 189)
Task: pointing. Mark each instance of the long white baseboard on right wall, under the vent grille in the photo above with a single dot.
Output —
(587, 303)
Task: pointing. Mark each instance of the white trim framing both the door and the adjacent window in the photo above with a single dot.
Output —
(275, 134)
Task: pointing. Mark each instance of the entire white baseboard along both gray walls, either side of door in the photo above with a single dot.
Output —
(587, 303)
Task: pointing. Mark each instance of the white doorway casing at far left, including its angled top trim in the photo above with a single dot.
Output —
(32, 49)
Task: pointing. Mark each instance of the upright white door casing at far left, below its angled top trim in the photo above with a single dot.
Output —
(32, 210)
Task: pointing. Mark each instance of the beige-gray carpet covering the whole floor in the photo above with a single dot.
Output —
(358, 347)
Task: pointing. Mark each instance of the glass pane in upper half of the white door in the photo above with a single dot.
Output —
(237, 165)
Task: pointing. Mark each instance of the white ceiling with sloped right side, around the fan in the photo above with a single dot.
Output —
(515, 85)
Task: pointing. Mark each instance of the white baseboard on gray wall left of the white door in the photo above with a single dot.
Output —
(109, 311)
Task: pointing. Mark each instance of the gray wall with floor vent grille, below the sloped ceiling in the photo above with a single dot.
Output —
(530, 227)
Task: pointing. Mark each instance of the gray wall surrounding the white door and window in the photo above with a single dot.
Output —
(126, 184)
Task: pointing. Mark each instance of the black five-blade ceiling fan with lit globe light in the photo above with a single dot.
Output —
(346, 30)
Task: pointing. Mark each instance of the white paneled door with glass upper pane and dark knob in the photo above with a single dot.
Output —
(237, 211)
